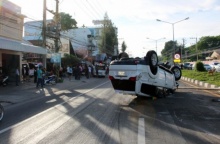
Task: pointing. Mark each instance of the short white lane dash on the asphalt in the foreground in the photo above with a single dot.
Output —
(141, 131)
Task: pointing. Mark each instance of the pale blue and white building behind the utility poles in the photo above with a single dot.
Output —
(81, 40)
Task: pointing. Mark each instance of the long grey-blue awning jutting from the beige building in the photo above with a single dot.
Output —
(13, 45)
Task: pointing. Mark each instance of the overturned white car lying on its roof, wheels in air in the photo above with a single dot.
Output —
(143, 77)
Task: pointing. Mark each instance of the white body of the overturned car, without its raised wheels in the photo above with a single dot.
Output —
(137, 79)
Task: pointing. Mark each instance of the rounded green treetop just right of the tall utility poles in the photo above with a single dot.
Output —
(67, 22)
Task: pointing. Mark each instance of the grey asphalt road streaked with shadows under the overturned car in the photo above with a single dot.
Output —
(93, 113)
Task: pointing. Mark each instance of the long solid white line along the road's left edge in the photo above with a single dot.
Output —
(18, 124)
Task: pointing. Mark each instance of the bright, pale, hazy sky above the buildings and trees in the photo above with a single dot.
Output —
(136, 19)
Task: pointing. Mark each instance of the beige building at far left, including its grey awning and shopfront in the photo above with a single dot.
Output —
(12, 46)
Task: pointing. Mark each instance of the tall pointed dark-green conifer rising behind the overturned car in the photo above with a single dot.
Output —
(108, 39)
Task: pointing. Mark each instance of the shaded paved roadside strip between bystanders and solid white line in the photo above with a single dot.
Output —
(12, 94)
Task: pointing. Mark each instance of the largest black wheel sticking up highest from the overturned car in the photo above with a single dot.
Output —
(152, 61)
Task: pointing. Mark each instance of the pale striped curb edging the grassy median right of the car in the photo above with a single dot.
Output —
(200, 83)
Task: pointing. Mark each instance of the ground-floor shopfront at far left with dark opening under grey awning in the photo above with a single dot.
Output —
(12, 52)
